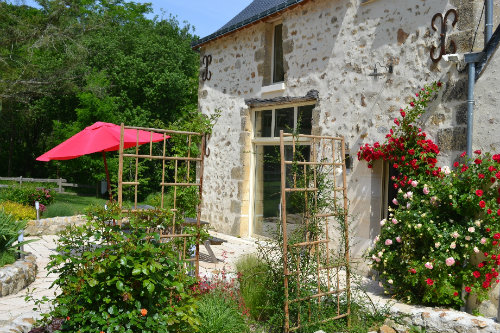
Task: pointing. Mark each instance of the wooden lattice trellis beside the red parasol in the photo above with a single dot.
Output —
(181, 160)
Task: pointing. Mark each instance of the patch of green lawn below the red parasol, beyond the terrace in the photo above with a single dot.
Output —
(69, 205)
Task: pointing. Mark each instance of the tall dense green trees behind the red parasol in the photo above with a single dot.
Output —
(100, 60)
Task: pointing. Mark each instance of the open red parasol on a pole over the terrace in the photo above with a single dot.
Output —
(99, 137)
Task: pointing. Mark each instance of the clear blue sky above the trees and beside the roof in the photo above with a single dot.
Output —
(205, 15)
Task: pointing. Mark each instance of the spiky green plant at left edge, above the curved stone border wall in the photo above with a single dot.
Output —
(9, 232)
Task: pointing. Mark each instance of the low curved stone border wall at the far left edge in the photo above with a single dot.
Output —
(18, 275)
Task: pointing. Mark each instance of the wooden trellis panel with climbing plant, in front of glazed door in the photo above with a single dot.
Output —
(316, 266)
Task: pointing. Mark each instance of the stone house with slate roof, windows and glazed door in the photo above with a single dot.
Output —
(279, 61)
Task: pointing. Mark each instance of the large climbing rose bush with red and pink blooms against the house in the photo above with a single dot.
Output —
(441, 239)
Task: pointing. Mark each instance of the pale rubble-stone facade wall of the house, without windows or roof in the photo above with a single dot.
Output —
(332, 47)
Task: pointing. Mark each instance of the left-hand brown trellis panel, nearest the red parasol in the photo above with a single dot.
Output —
(183, 170)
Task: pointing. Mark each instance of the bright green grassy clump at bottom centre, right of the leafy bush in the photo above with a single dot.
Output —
(220, 314)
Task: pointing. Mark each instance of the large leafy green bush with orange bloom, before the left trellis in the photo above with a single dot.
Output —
(119, 280)
